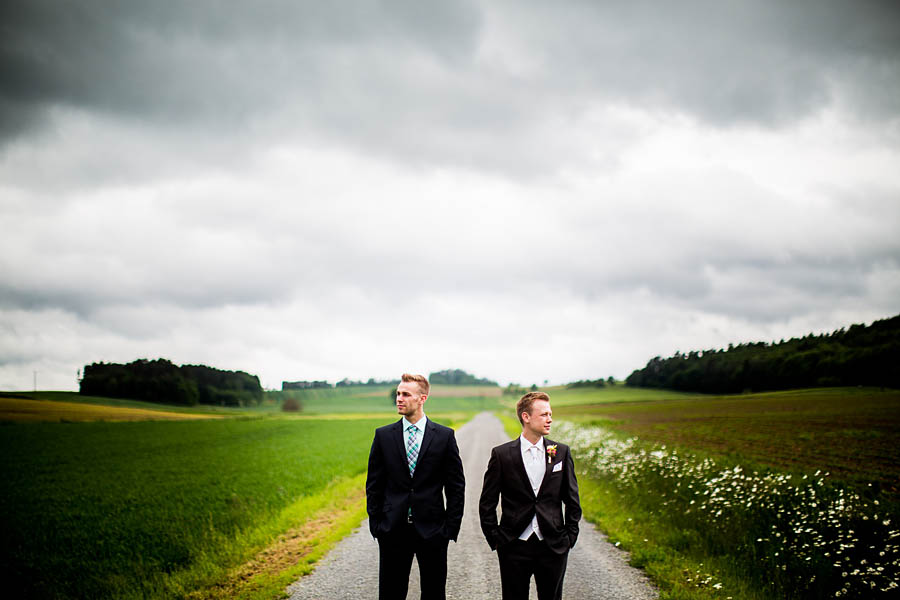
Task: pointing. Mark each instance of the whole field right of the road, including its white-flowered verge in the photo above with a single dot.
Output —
(763, 496)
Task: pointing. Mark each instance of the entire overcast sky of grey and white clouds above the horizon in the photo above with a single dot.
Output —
(526, 190)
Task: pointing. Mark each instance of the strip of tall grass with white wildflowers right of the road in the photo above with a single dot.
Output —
(793, 536)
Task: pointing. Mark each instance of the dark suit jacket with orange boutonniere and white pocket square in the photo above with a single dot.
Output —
(506, 477)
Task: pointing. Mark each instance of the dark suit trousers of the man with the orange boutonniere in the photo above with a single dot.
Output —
(520, 559)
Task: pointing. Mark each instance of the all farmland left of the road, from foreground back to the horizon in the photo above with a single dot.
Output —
(155, 509)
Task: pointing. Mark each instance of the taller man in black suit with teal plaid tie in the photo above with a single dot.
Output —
(413, 464)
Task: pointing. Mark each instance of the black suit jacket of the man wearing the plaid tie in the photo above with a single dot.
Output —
(391, 492)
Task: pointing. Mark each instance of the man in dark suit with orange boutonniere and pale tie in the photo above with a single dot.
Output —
(535, 477)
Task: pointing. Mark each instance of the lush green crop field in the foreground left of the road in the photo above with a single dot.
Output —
(155, 509)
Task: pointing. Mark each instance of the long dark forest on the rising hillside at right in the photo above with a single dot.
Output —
(859, 355)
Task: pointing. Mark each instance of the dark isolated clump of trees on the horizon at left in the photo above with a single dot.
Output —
(163, 382)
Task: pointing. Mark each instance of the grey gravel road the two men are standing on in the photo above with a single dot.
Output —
(596, 570)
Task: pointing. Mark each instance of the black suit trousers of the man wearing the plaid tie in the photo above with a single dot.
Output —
(395, 553)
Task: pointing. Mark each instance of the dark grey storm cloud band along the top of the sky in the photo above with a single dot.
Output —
(474, 76)
